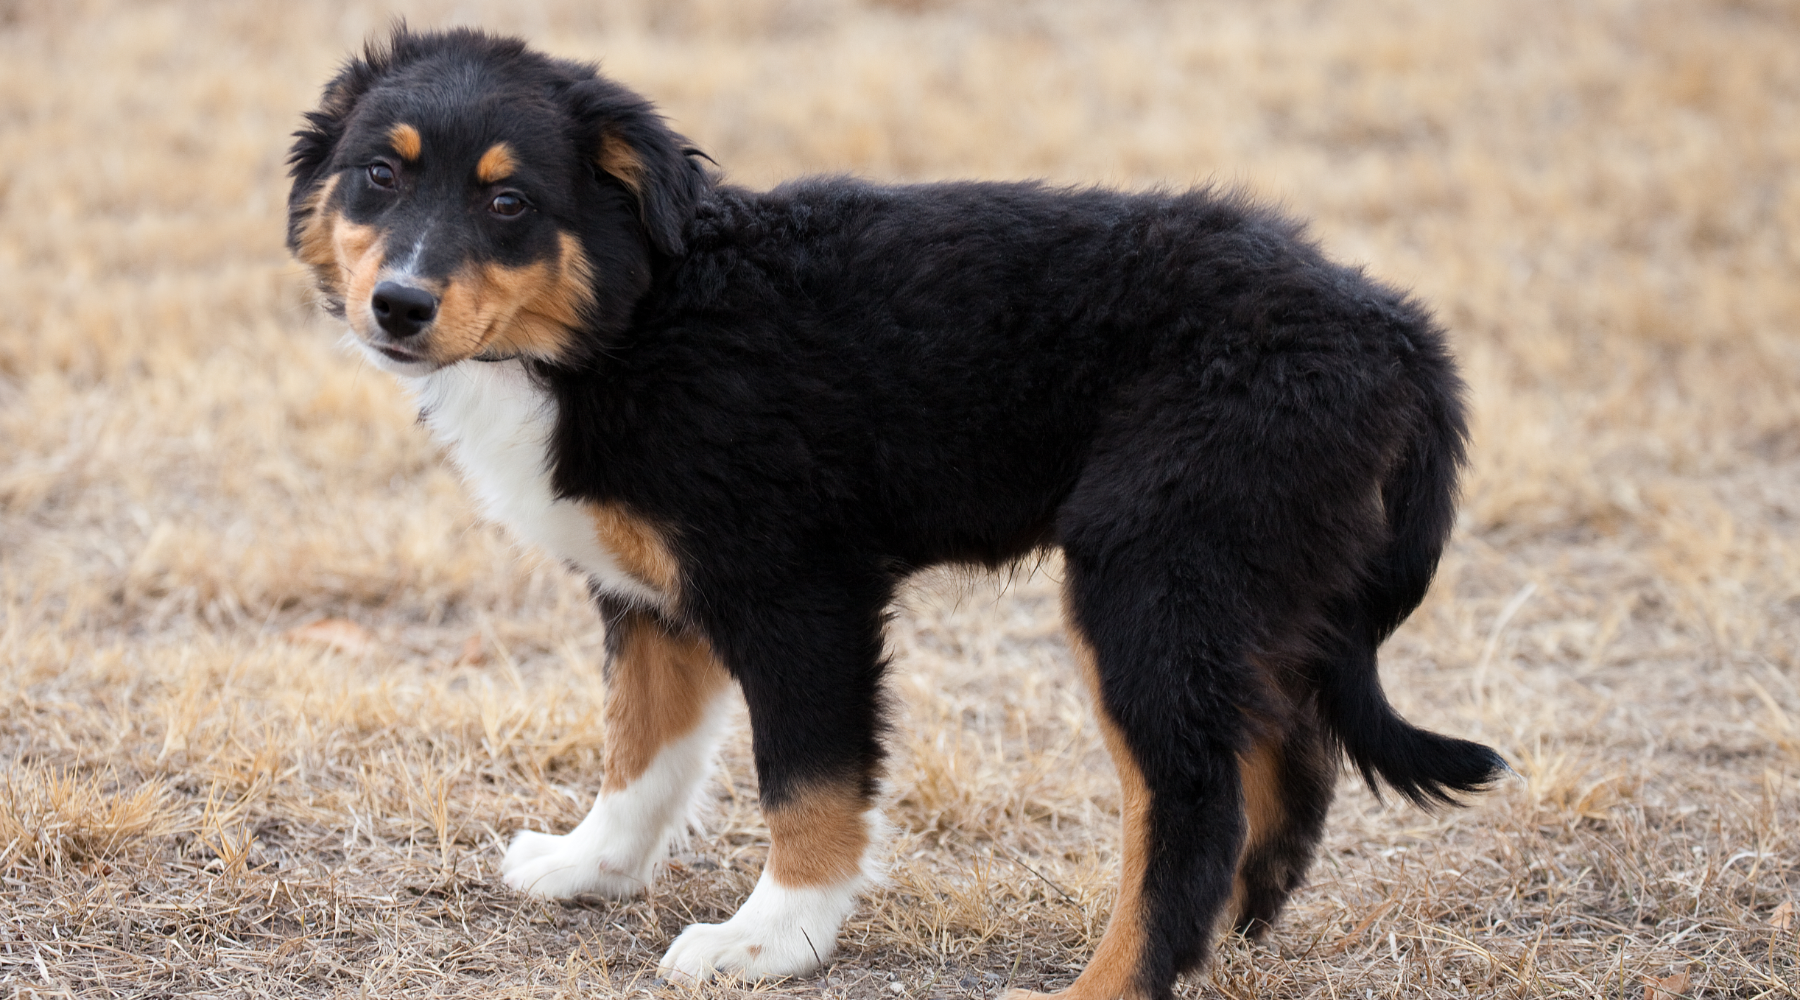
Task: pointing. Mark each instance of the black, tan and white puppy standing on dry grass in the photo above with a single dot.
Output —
(746, 418)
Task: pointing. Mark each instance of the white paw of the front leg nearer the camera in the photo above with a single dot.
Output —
(778, 933)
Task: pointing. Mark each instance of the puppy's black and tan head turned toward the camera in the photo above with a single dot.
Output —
(458, 195)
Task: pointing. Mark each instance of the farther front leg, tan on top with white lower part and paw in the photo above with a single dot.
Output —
(667, 704)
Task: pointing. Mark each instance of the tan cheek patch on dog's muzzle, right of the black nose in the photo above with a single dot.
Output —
(528, 310)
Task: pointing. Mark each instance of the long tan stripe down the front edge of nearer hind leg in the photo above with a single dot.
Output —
(1113, 972)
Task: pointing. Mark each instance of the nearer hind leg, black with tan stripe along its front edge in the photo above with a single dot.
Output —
(1169, 672)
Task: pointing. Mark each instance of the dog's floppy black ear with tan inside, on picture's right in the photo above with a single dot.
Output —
(631, 143)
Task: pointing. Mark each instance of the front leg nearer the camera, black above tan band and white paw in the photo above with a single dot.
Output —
(813, 690)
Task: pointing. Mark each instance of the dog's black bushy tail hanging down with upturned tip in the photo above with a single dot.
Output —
(1419, 499)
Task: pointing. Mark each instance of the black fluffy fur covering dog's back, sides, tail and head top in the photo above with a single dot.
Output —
(1246, 452)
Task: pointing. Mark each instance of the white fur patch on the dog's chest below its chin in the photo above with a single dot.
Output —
(498, 424)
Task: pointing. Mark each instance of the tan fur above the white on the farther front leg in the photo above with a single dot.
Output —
(658, 690)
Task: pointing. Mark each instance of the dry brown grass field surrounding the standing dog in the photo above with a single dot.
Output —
(273, 701)
